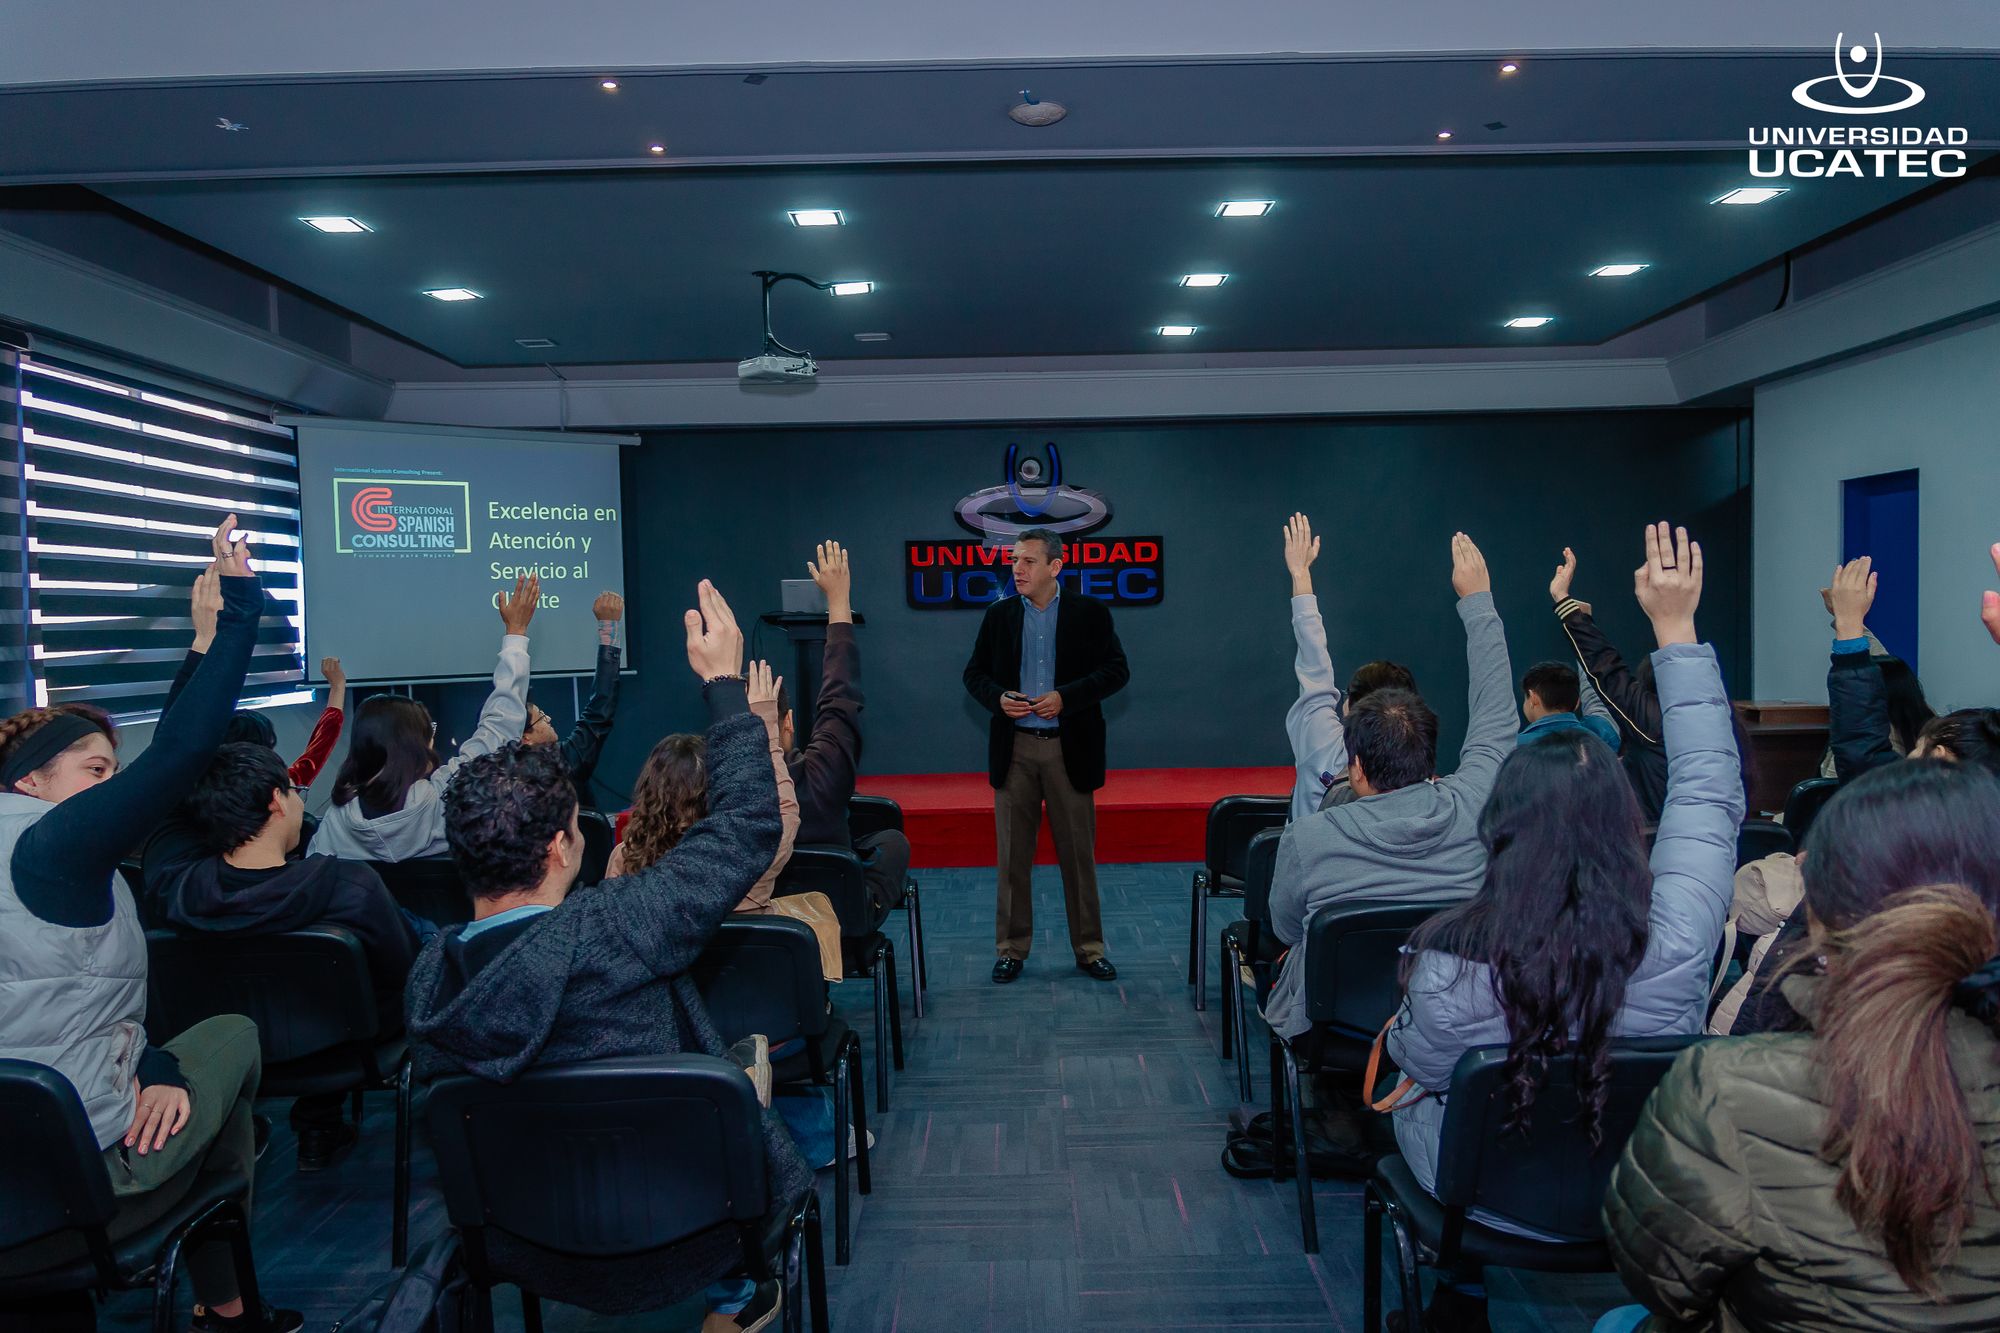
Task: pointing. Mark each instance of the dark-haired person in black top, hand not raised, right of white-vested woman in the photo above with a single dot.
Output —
(227, 866)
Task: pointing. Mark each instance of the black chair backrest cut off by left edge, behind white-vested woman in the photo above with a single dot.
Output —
(51, 1172)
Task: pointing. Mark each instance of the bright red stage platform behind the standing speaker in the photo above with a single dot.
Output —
(1143, 814)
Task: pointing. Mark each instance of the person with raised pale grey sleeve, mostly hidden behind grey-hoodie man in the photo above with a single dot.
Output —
(1315, 722)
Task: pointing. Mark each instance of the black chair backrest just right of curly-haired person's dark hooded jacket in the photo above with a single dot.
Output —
(763, 976)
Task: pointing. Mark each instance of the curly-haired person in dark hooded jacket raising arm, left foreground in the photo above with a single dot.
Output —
(543, 978)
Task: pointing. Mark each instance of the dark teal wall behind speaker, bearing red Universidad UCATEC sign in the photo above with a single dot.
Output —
(1213, 663)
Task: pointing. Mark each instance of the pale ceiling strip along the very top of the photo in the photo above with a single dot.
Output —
(91, 41)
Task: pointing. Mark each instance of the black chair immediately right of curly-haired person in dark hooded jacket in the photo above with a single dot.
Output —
(763, 976)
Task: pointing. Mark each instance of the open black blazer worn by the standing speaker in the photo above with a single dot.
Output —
(1089, 670)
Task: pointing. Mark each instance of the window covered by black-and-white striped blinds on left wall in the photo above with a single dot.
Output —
(123, 483)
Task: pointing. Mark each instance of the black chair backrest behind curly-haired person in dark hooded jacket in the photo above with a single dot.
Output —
(603, 1158)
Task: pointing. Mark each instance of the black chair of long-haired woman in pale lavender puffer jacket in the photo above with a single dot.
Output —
(1547, 1178)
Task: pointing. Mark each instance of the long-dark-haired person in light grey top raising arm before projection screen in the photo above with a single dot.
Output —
(389, 794)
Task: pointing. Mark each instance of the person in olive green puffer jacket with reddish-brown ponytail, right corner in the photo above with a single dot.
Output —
(1843, 1178)
